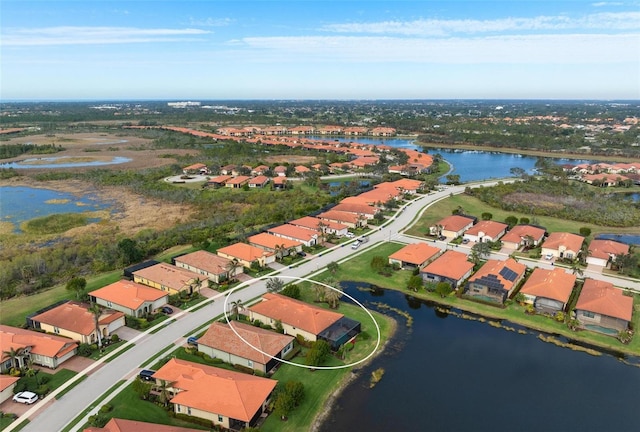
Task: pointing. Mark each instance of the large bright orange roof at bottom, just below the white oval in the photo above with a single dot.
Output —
(220, 391)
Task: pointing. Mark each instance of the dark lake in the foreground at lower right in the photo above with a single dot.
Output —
(451, 374)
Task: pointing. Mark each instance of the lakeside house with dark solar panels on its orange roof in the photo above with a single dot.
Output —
(496, 280)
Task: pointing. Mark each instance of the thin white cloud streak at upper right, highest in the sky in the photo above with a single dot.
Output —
(435, 27)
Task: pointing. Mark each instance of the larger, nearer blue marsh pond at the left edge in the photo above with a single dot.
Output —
(22, 203)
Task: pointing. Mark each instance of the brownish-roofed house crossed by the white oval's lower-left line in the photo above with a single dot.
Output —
(248, 345)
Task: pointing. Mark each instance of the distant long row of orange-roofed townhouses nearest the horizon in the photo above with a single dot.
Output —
(307, 130)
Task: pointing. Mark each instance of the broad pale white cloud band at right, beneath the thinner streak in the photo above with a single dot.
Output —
(515, 49)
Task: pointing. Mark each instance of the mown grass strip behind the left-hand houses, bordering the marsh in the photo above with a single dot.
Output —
(14, 311)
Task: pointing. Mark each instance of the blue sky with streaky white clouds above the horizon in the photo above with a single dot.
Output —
(305, 49)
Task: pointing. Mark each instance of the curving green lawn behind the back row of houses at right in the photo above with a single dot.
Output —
(474, 207)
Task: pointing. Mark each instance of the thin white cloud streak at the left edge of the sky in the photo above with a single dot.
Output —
(93, 35)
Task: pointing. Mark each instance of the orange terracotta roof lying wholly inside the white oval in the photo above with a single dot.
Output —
(296, 313)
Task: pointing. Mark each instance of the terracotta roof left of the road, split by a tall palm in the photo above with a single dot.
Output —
(75, 317)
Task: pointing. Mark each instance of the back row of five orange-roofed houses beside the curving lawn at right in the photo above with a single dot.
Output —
(555, 245)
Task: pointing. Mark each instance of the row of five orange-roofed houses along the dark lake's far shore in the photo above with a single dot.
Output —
(600, 306)
